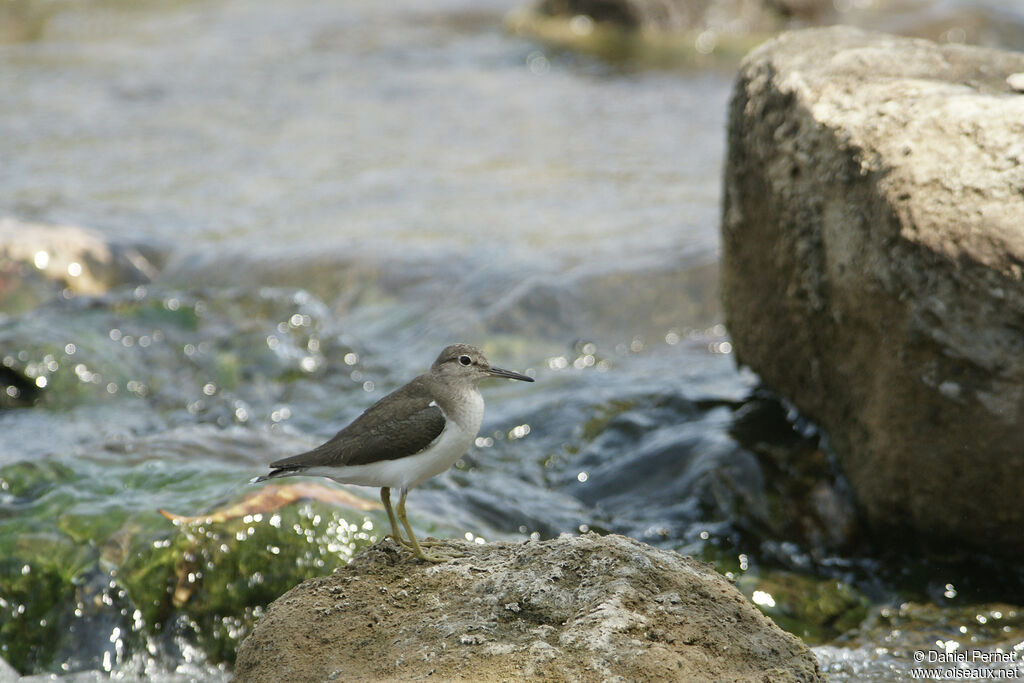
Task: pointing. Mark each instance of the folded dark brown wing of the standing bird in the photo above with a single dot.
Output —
(404, 428)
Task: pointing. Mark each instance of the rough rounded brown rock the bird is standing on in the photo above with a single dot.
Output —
(572, 609)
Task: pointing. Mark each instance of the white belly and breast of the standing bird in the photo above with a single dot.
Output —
(460, 432)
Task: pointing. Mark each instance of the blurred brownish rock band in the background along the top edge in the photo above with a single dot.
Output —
(672, 32)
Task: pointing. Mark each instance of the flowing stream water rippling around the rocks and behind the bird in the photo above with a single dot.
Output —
(332, 193)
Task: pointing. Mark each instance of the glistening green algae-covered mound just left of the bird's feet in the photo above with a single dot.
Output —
(221, 576)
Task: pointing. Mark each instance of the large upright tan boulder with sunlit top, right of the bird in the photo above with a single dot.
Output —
(873, 253)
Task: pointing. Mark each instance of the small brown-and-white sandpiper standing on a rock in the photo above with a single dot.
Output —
(410, 436)
